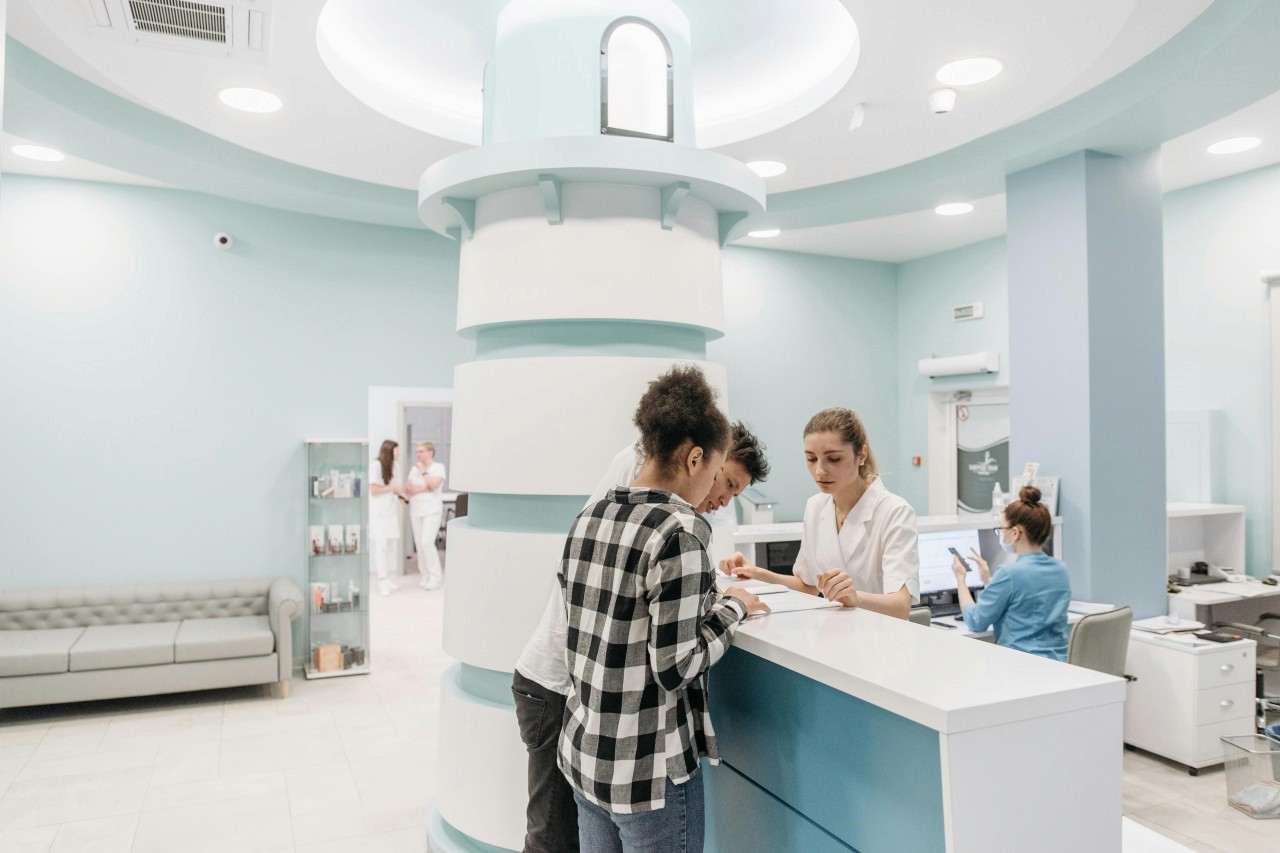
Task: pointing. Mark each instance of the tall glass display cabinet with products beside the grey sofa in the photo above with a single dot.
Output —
(337, 605)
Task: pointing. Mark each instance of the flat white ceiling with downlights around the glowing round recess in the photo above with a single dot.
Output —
(1053, 53)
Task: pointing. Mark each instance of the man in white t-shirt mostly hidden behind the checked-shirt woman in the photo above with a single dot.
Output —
(542, 681)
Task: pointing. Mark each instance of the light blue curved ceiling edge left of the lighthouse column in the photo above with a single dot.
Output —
(44, 102)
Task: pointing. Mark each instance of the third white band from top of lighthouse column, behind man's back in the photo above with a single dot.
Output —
(483, 628)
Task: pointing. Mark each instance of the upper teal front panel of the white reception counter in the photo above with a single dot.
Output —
(866, 777)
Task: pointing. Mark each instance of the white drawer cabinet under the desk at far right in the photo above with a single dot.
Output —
(1186, 697)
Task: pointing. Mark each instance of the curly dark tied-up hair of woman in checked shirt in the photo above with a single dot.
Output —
(680, 407)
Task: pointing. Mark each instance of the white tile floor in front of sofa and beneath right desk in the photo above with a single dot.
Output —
(348, 767)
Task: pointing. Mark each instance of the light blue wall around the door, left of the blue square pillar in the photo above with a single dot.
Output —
(927, 291)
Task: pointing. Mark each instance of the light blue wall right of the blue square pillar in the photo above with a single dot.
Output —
(1218, 239)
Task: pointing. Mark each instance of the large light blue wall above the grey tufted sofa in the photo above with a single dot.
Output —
(157, 391)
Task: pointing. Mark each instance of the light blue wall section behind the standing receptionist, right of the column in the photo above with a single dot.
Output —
(804, 332)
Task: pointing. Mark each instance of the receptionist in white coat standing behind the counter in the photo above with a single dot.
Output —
(860, 542)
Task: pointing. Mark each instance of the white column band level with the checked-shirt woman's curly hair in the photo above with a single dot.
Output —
(548, 426)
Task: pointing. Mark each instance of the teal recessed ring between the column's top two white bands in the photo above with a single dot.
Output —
(591, 337)
